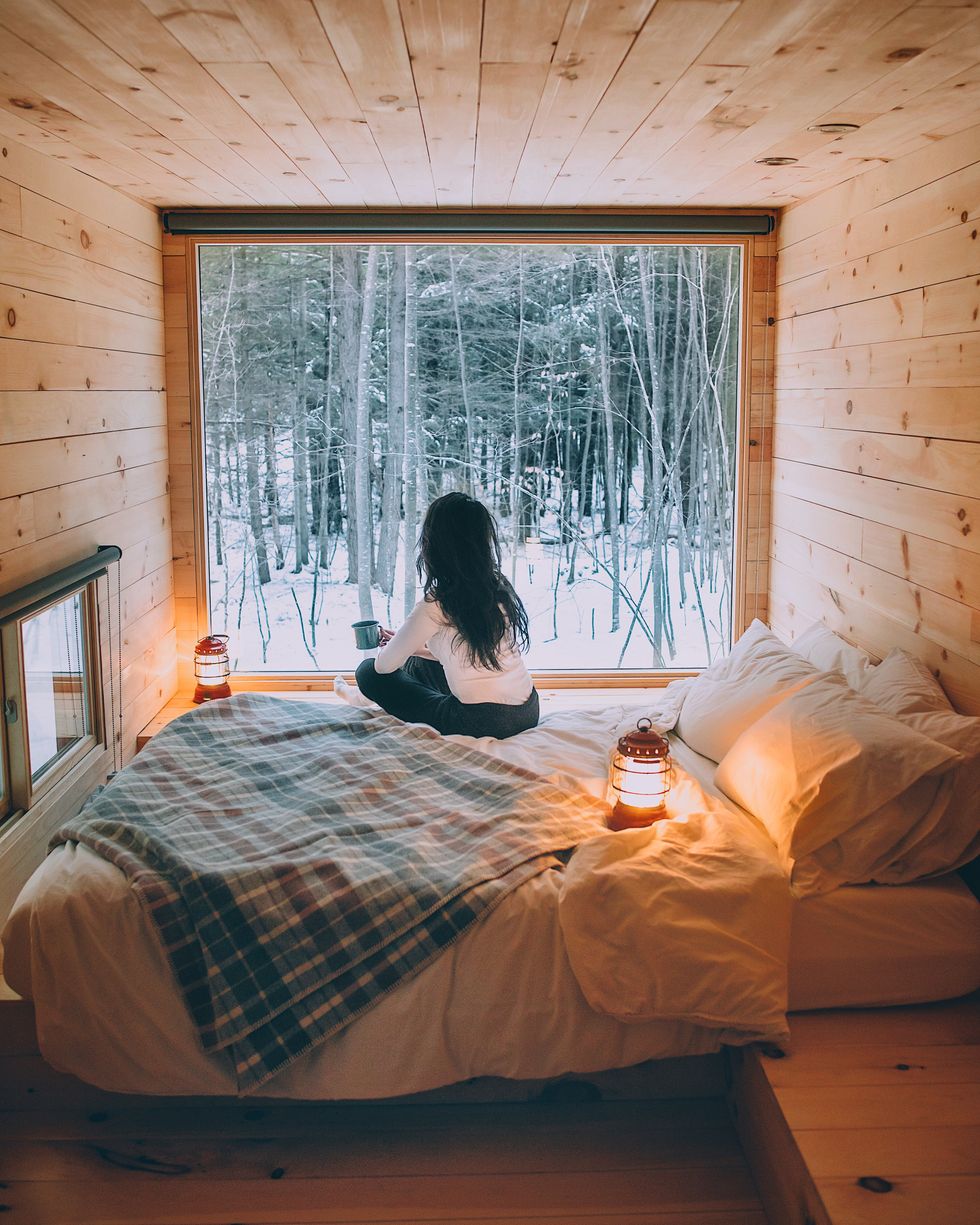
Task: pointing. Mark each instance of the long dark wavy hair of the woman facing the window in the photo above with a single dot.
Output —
(459, 567)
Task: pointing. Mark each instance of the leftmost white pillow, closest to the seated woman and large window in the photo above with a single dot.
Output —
(736, 692)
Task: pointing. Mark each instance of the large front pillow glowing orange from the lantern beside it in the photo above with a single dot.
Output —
(818, 765)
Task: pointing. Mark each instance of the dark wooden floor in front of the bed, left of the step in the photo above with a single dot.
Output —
(154, 1163)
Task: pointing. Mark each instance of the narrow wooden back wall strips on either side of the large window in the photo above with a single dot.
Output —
(182, 404)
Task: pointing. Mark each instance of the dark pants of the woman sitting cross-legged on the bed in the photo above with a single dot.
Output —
(420, 693)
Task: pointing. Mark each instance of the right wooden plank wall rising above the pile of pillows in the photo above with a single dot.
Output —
(876, 470)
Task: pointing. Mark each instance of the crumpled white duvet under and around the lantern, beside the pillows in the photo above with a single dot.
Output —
(687, 921)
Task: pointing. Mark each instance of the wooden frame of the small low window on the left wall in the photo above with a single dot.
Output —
(24, 792)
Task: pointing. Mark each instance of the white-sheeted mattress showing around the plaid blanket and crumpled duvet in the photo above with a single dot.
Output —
(503, 1001)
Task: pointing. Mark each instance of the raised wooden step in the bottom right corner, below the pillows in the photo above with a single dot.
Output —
(872, 1117)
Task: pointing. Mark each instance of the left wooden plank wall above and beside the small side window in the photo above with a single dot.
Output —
(83, 405)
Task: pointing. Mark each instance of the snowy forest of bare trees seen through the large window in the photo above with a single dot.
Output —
(586, 394)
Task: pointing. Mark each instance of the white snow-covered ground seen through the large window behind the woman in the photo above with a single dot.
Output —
(570, 624)
